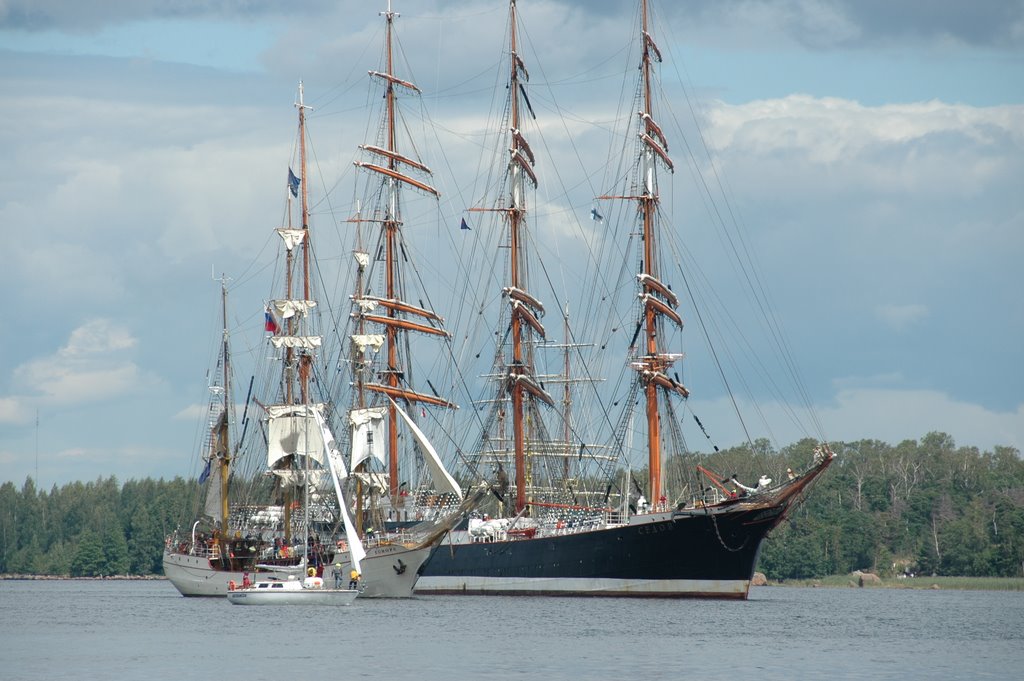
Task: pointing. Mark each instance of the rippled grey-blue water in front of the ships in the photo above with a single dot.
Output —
(116, 630)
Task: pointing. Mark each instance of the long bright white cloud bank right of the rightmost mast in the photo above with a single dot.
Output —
(927, 148)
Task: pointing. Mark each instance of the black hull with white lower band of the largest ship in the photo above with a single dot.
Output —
(695, 554)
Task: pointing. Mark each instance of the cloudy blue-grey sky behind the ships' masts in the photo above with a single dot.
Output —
(874, 149)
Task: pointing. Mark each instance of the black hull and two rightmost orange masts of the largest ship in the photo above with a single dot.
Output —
(566, 518)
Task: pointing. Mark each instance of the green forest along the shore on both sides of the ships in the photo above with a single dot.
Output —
(924, 506)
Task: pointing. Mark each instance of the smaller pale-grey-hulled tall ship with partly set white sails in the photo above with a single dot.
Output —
(279, 498)
